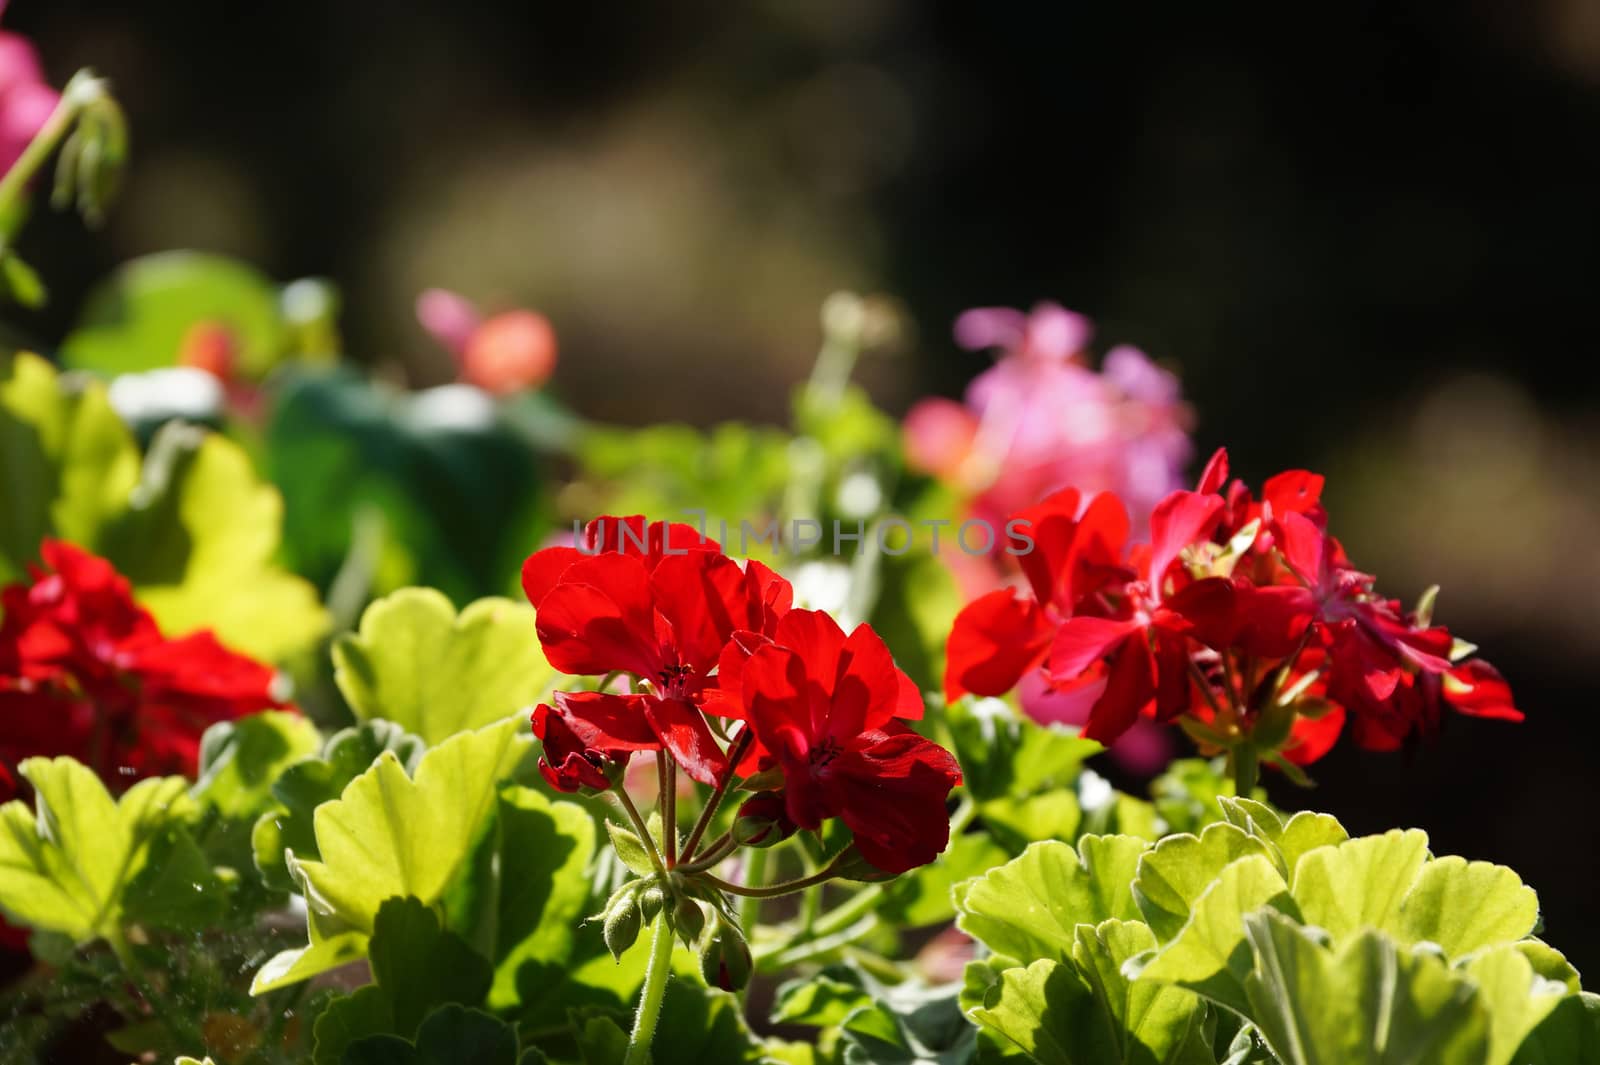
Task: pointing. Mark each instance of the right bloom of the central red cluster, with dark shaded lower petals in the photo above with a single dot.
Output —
(825, 709)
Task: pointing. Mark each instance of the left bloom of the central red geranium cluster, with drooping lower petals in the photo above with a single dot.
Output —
(660, 604)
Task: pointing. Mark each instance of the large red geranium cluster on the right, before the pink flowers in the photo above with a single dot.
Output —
(1242, 618)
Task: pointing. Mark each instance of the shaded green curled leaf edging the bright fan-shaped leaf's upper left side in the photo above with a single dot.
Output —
(311, 783)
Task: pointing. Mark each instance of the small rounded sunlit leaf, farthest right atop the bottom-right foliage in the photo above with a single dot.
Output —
(1466, 906)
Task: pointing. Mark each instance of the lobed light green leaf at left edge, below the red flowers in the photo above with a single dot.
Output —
(68, 868)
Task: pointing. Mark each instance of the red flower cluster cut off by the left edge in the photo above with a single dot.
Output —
(86, 672)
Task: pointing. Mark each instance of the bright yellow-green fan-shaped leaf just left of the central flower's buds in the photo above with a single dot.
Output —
(393, 836)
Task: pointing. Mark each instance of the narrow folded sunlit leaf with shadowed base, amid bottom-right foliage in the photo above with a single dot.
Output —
(1210, 955)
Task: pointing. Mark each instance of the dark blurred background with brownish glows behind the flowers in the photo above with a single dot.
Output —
(1367, 236)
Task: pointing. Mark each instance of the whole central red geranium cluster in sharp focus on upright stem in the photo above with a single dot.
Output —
(700, 634)
